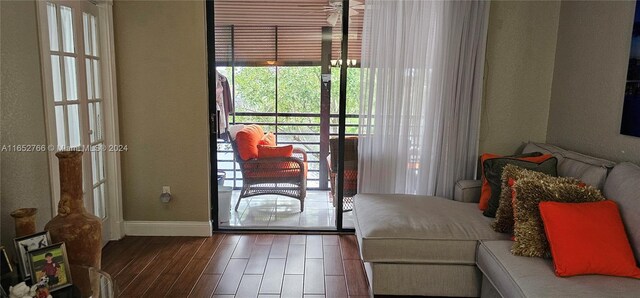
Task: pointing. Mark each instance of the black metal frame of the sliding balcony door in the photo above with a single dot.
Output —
(213, 123)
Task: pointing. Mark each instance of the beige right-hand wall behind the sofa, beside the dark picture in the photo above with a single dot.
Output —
(588, 84)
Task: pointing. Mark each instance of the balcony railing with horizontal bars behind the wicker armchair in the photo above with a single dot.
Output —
(297, 129)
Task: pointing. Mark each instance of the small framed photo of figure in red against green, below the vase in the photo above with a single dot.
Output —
(51, 263)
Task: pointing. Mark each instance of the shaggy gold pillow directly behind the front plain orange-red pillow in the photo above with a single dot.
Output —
(531, 240)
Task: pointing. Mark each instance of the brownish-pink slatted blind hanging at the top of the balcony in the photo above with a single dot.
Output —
(256, 32)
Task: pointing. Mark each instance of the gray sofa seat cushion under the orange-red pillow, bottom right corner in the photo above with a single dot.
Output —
(514, 276)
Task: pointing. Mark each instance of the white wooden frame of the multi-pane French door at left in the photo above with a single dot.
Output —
(115, 230)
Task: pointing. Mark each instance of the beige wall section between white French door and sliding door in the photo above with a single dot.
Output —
(162, 99)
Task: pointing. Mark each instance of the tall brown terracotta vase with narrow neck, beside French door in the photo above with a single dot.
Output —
(80, 230)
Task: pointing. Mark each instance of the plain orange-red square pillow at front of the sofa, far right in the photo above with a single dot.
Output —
(588, 238)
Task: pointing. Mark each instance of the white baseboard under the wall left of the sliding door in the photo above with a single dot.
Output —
(167, 228)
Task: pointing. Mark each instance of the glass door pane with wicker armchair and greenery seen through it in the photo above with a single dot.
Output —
(277, 66)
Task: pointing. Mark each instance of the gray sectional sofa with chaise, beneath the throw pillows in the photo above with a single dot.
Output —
(433, 246)
